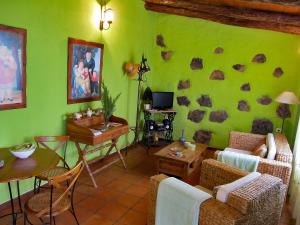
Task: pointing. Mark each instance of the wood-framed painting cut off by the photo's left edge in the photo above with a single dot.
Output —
(12, 67)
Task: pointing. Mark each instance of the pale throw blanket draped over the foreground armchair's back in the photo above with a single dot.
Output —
(178, 203)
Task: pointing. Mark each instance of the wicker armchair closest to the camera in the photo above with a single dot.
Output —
(259, 202)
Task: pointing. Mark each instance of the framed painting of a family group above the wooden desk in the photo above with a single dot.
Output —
(85, 62)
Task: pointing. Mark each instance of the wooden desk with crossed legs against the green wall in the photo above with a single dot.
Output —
(84, 131)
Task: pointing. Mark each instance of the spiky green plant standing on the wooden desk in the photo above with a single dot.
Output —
(108, 104)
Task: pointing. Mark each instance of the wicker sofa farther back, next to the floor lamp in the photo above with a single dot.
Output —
(280, 167)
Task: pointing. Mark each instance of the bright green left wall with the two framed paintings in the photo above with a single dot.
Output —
(49, 24)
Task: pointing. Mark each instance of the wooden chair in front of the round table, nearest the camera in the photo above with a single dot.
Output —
(56, 200)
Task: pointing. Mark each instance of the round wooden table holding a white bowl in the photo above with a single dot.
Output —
(15, 169)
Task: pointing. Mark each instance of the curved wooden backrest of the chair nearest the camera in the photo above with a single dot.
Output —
(59, 182)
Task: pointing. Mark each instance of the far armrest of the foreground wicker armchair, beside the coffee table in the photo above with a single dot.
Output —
(214, 173)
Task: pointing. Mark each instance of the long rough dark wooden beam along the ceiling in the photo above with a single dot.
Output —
(228, 15)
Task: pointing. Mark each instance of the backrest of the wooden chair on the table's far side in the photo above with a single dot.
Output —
(59, 142)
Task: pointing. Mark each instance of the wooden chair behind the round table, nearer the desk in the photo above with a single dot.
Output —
(60, 142)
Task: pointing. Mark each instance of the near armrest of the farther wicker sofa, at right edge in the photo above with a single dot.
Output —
(276, 168)
